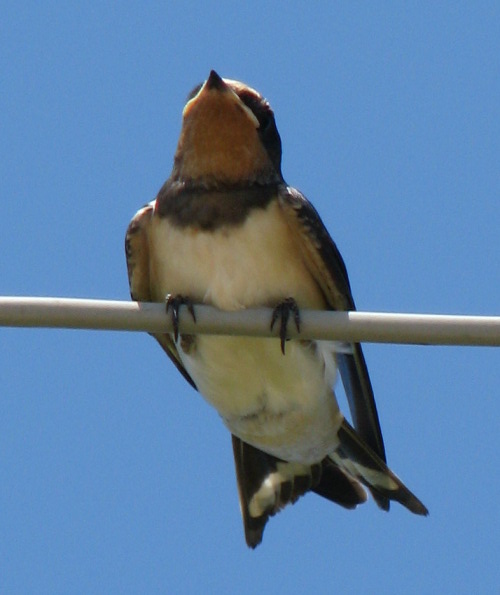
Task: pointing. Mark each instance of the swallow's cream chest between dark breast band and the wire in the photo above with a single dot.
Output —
(255, 263)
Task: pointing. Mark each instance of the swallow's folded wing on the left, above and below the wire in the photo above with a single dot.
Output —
(138, 265)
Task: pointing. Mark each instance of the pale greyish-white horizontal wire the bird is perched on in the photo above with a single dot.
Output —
(374, 327)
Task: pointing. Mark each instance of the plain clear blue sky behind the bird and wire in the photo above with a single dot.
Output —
(115, 476)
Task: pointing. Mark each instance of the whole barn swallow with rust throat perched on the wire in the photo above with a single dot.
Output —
(226, 230)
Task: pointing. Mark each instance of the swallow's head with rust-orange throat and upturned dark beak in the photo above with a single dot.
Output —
(228, 136)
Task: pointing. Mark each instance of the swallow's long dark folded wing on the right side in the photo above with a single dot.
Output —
(328, 269)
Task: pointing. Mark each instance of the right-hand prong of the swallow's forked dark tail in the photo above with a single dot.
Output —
(358, 460)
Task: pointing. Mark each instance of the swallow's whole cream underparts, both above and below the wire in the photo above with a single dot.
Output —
(283, 404)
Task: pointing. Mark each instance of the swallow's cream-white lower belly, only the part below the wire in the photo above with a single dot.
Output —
(282, 404)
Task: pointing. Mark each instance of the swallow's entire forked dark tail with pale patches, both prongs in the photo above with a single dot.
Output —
(267, 484)
